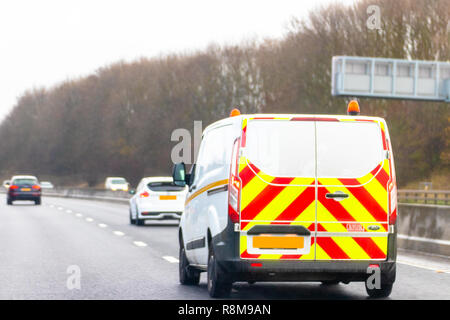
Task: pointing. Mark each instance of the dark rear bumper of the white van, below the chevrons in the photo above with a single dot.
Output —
(285, 270)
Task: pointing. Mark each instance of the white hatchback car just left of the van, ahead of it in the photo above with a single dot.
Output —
(157, 198)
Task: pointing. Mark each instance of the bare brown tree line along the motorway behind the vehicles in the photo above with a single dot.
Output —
(119, 119)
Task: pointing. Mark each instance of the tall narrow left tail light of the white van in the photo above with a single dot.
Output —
(234, 185)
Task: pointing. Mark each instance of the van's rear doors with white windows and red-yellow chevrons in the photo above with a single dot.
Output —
(313, 188)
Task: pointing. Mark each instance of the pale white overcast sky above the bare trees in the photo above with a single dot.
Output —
(44, 42)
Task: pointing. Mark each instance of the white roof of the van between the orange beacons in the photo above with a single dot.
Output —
(281, 116)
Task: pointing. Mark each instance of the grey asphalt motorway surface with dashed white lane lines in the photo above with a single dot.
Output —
(116, 260)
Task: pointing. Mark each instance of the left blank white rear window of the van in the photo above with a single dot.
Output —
(282, 148)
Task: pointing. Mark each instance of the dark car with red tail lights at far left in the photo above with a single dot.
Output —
(24, 188)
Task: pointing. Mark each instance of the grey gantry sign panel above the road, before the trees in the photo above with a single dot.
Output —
(390, 78)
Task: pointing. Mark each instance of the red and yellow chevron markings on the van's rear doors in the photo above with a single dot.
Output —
(271, 200)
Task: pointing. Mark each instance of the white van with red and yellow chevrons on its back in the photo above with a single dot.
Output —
(277, 197)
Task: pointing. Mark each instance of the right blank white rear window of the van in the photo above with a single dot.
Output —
(348, 149)
